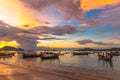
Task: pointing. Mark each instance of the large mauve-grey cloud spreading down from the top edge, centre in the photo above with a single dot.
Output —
(69, 9)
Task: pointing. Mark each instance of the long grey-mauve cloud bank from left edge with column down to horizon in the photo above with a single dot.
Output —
(28, 38)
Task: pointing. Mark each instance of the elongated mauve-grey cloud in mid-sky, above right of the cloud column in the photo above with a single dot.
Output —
(56, 30)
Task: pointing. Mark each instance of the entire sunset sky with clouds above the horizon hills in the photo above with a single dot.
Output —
(60, 23)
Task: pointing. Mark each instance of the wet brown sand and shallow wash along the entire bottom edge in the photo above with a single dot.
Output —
(9, 72)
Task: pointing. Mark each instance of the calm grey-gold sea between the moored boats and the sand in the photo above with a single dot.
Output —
(66, 62)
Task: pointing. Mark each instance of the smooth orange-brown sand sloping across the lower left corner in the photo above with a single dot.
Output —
(8, 72)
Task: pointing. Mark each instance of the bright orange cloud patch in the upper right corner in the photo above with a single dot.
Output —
(97, 4)
